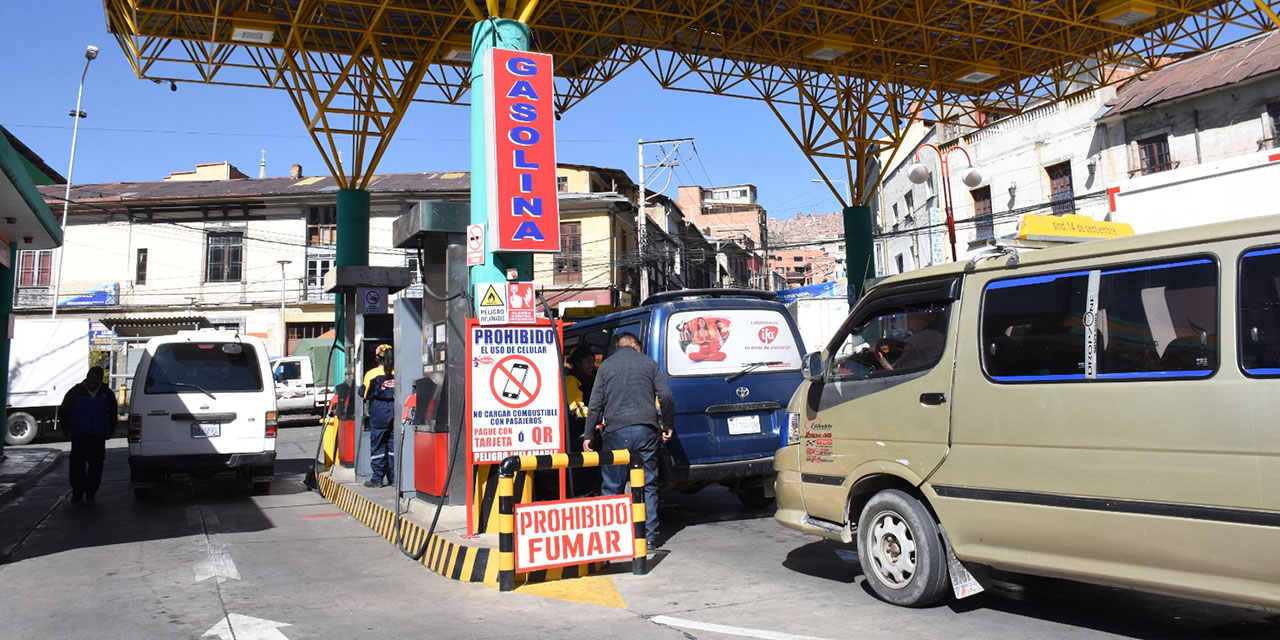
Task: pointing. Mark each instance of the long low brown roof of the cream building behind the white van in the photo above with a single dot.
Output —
(257, 188)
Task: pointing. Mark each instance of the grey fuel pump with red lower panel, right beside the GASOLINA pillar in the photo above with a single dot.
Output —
(437, 231)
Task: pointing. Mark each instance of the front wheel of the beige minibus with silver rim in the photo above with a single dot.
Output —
(898, 524)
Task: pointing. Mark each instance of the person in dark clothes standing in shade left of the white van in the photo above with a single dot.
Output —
(88, 414)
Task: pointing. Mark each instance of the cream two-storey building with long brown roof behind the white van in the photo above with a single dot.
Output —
(152, 258)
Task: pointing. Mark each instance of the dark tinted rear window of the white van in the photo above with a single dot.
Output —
(204, 367)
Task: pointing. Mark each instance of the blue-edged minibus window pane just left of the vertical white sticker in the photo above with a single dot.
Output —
(1034, 328)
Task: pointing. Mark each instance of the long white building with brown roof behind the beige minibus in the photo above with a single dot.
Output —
(1162, 150)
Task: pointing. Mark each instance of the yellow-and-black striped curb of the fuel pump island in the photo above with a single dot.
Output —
(444, 557)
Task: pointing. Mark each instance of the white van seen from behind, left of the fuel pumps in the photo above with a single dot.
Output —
(203, 404)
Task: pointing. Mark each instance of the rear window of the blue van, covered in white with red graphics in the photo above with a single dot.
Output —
(728, 341)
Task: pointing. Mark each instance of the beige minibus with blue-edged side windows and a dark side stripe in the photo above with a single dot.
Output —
(1103, 413)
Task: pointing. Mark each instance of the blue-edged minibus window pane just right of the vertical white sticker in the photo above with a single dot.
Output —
(1158, 321)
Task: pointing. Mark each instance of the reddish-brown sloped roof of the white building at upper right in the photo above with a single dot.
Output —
(1203, 74)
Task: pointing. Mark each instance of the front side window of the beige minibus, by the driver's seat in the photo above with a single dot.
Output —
(895, 341)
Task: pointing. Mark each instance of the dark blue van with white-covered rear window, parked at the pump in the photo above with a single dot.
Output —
(733, 359)
